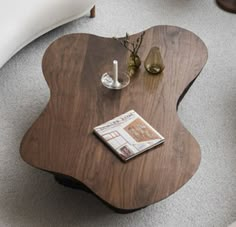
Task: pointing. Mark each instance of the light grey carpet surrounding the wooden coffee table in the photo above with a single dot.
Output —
(29, 197)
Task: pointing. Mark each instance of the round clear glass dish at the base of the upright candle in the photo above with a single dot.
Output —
(108, 81)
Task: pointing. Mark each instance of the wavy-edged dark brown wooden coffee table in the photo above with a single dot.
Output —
(61, 141)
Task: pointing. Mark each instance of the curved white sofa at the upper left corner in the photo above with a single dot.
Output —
(22, 21)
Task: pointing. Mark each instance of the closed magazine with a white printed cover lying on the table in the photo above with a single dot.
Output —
(128, 135)
